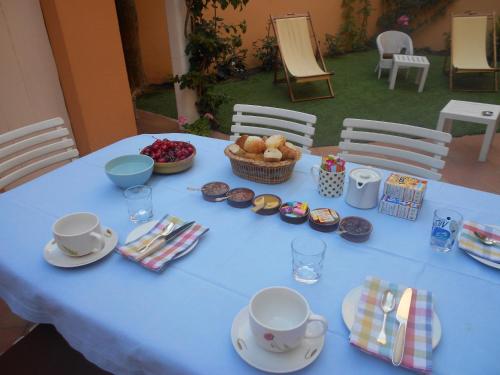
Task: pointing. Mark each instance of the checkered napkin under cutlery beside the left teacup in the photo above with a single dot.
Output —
(158, 260)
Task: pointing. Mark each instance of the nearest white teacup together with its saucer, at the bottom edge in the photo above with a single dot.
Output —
(277, 332)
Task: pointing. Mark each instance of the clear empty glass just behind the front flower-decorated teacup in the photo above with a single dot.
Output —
(308, 254)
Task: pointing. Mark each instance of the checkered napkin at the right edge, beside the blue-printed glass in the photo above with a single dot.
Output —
(470, 243)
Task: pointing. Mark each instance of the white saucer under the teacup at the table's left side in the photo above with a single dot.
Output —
(56, 257)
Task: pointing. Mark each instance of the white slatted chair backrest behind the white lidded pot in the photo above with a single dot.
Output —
(425, 159)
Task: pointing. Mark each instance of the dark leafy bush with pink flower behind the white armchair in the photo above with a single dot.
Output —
(418, 12)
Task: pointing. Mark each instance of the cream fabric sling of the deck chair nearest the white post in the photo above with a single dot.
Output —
(295, 45)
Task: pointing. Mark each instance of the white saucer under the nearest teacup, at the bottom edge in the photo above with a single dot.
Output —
(261, 359)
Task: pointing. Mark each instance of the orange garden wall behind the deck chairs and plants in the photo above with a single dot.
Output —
(326, 17)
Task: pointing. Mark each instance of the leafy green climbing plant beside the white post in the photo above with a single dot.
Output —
(210, 43)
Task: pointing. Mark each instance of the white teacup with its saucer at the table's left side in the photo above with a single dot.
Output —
(79, 239)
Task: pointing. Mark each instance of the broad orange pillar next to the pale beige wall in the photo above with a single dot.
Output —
(85, 40)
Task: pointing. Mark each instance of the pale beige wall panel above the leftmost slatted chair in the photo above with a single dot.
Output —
(29, 88)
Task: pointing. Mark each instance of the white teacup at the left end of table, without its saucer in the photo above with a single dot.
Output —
(78, 234)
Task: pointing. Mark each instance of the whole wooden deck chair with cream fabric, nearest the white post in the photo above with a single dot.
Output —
(293, 34)
